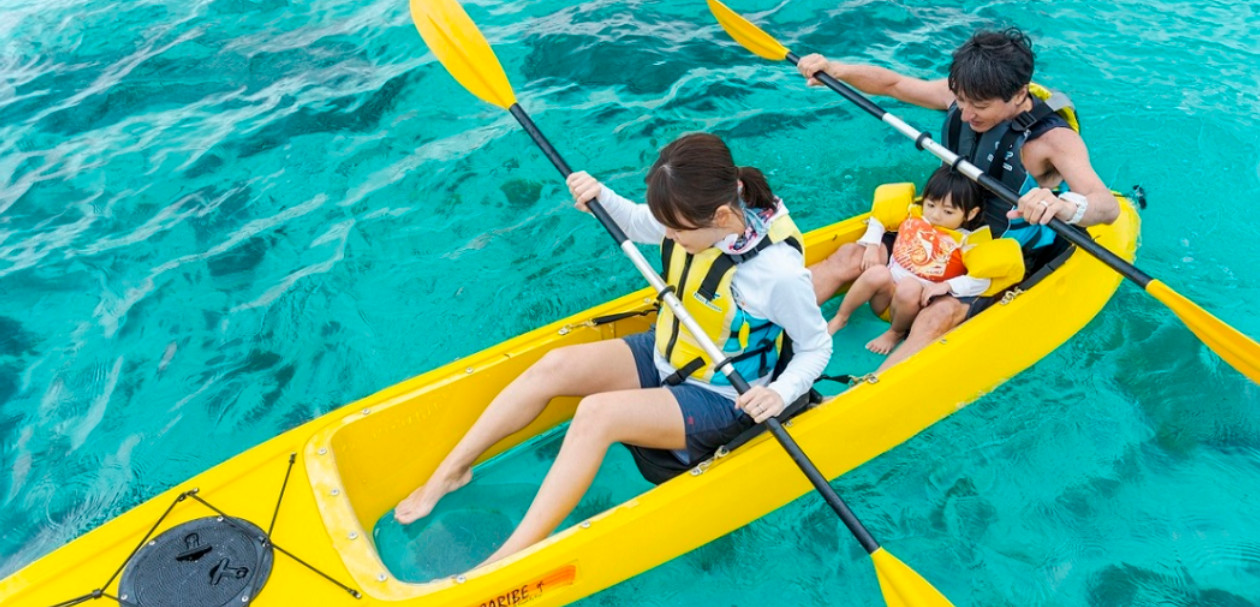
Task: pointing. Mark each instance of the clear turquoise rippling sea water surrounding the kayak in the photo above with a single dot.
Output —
(220, 220)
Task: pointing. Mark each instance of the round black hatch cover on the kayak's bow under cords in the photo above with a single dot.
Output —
(202, 564)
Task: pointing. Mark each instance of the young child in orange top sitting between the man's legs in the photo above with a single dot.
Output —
(927, 259)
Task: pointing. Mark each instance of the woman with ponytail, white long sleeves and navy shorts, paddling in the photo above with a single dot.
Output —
(734, 258)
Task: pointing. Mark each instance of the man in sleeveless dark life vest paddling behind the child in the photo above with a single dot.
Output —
(997, 124)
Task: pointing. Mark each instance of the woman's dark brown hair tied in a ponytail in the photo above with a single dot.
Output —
(695, 176)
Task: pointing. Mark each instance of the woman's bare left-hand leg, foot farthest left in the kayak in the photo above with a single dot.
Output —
(568, 372)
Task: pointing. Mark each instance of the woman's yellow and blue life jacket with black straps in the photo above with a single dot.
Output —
(702, 283)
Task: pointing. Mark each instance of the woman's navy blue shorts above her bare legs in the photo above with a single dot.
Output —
(711, 420)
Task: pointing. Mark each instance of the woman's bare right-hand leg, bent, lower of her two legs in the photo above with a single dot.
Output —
(647, 417)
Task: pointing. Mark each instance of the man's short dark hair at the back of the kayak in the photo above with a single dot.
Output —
(992, 65)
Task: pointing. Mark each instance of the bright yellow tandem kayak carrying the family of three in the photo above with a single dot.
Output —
(347, 469)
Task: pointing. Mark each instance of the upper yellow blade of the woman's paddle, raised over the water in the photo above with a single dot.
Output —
(455, 41)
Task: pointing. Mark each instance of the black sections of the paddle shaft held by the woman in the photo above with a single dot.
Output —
(777, 429)
